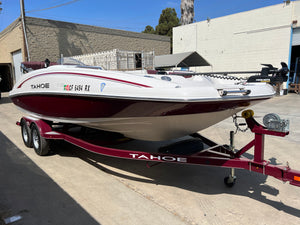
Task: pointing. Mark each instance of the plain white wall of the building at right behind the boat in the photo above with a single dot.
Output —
(240, 41)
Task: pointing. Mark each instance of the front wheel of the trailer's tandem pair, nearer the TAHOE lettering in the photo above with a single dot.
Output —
(40, 144)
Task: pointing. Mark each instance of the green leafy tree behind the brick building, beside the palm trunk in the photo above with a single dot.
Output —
(167, 20)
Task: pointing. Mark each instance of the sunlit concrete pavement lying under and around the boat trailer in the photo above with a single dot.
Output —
(73, 186)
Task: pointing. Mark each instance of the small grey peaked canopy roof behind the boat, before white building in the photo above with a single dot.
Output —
(185, 59)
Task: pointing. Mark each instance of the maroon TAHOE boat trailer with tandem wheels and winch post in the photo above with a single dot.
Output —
(38, 133)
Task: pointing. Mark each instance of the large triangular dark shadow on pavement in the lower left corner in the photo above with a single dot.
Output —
(29, 192)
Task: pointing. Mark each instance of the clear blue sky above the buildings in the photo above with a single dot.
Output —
(131, 15)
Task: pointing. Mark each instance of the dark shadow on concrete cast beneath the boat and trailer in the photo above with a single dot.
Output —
(200, 179)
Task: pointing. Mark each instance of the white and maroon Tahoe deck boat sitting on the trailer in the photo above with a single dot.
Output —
(140, 106)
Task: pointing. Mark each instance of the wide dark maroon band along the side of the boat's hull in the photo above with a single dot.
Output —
(93, 107)
